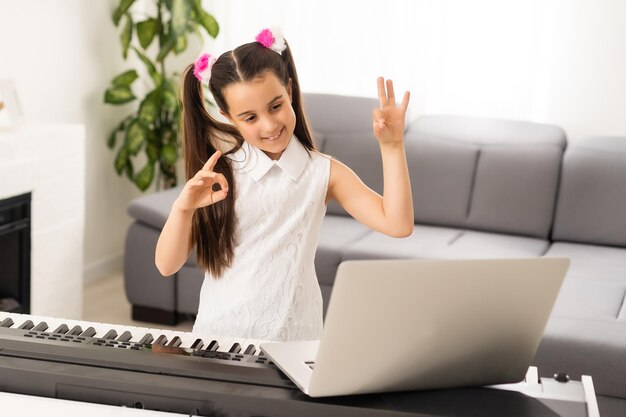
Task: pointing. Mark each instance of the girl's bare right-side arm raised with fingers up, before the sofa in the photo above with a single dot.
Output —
(391, 213)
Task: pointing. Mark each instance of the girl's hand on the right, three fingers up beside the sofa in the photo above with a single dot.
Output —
(389, 118)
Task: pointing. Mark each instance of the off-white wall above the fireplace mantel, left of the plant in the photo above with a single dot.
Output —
(61, 55)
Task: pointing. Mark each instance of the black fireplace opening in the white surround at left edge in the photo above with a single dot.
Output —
(15, 222)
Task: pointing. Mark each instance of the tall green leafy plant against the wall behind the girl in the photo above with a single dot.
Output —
(152, 128)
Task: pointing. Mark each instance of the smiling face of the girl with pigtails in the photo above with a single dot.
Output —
(261, 110)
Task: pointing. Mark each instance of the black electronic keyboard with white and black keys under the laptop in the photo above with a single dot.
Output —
(195, 374)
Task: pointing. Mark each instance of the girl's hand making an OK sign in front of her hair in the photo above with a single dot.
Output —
(198, 191)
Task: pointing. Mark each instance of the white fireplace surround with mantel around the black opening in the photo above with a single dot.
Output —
(49, 161)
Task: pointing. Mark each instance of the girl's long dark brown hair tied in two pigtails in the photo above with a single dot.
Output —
(213, 227)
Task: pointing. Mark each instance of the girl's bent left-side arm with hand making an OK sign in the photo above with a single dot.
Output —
(174, 243)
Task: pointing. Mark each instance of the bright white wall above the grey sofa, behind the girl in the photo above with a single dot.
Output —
(554, 61)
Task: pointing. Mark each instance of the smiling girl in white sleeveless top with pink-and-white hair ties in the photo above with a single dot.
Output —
(254, 211)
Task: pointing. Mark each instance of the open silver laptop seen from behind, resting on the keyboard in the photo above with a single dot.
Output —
(396, 325)
